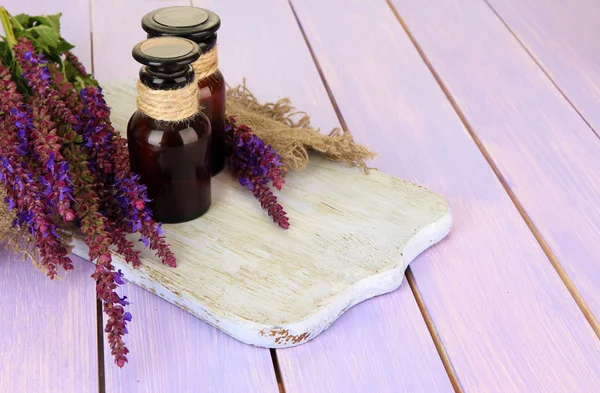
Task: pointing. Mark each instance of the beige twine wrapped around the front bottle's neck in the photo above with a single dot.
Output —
(168, 105)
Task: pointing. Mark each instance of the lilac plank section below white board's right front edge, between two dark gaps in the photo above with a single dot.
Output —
(374, 347)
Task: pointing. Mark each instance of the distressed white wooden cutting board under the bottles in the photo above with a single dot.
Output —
(351, 238)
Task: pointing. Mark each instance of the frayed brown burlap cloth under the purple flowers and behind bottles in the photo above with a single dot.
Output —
(278, 124)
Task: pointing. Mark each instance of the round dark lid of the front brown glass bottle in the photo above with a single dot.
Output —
(166, 52)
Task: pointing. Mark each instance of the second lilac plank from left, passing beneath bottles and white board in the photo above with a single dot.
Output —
(177, 352)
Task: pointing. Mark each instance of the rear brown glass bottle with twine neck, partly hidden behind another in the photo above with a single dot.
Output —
(199, 25)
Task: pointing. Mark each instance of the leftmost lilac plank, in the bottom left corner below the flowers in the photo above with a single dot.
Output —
(48, 329)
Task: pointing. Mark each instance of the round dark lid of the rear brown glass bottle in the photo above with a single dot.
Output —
(196, 24)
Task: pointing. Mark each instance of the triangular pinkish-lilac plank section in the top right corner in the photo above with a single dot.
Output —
(562, 36)
